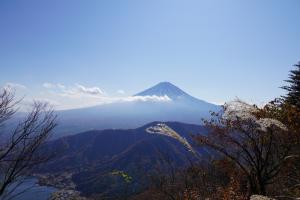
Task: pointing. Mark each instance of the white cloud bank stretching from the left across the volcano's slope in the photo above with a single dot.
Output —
(78, 96)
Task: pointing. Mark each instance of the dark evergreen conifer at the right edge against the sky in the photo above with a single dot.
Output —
(293, 89)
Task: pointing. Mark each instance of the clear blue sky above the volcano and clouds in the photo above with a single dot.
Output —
(216, 50)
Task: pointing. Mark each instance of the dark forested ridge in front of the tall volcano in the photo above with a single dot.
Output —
(91, 159)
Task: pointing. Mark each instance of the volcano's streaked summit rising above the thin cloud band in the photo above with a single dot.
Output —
(162, 89)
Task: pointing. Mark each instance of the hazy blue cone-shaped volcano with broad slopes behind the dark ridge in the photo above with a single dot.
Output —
(162, 102)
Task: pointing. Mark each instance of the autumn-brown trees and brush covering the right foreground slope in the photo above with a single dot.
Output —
(257, 152)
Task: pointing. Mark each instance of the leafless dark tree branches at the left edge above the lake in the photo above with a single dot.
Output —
(20, 152)
